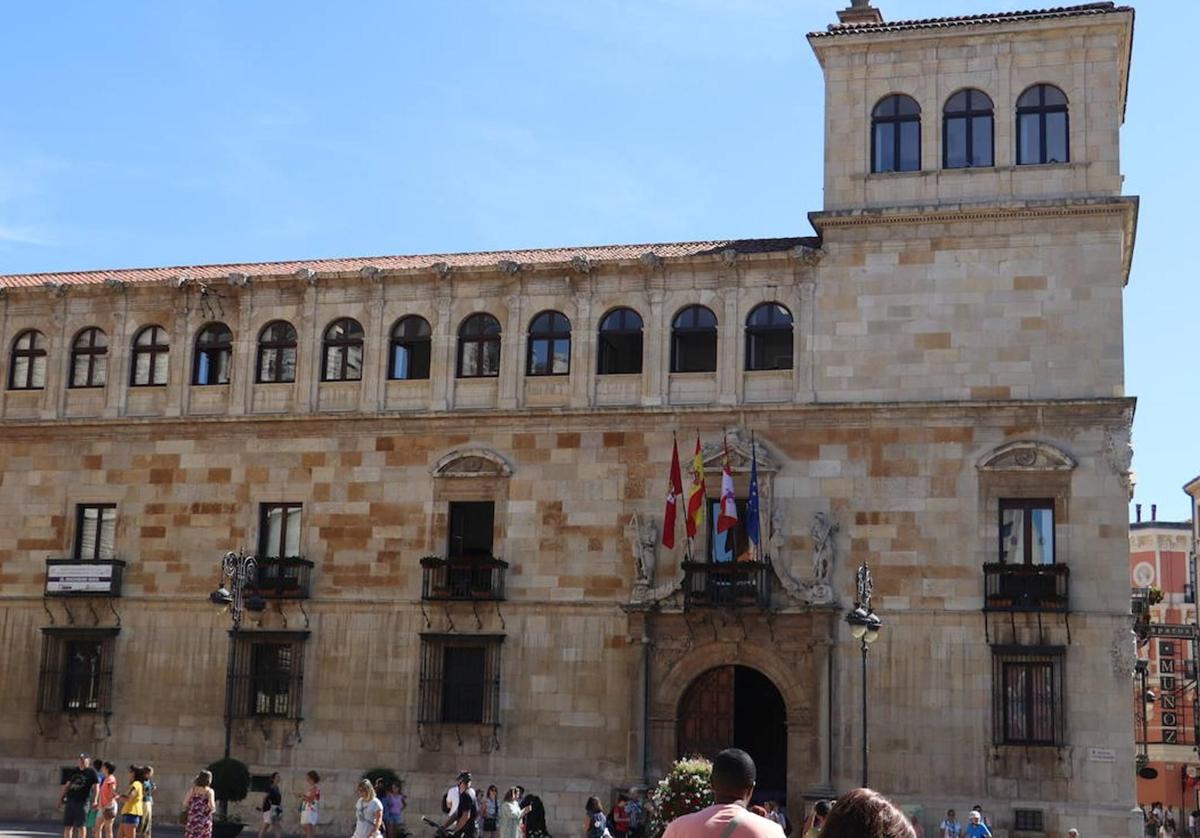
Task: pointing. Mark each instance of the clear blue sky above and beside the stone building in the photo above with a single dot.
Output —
(172, 133)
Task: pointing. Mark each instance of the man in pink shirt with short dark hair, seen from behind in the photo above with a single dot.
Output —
(734, 779)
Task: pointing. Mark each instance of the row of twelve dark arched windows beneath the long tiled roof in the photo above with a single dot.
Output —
(769, 344)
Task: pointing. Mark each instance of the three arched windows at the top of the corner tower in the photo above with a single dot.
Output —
(969, 130)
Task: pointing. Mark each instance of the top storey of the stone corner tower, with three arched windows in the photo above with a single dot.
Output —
(981, 109)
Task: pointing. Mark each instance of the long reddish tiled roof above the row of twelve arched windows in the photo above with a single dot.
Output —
(550, 256)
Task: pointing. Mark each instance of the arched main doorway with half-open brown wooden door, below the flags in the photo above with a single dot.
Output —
(740, 708)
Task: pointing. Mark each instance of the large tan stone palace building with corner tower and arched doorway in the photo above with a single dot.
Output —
(453, 472)
